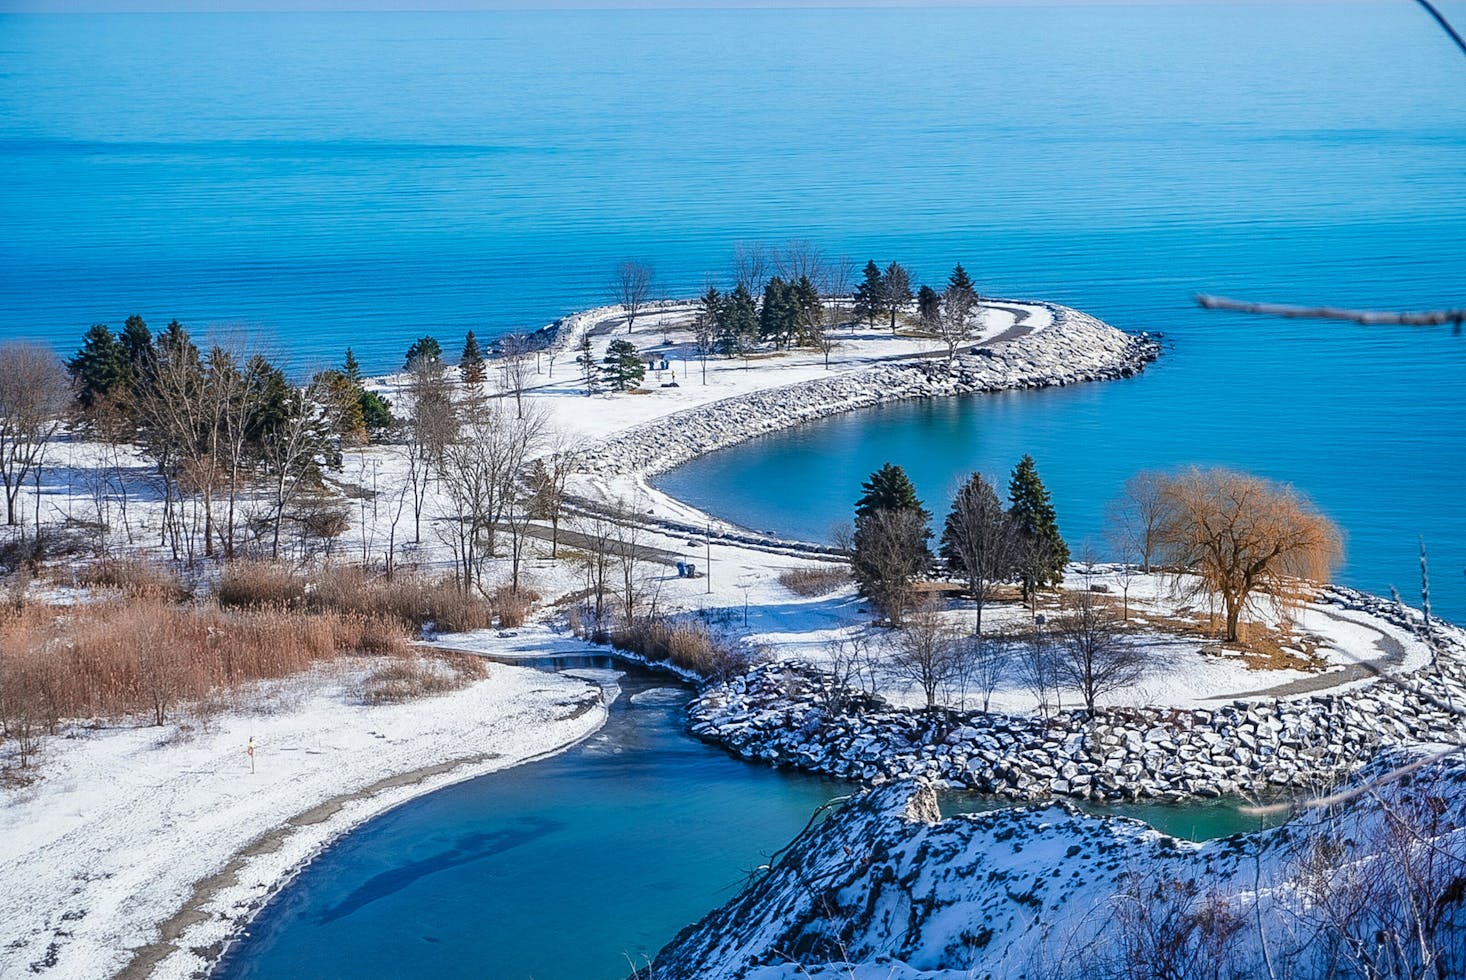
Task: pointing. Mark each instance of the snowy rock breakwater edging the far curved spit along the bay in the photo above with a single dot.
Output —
(1071, 348)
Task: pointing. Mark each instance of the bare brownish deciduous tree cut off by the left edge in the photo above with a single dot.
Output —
(34, 394)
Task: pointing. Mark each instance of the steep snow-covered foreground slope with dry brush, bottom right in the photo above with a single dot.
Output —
(888, 888)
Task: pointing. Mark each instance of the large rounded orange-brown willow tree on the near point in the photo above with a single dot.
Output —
(1242, 538)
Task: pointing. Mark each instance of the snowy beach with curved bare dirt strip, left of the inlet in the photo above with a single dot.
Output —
(144, 849)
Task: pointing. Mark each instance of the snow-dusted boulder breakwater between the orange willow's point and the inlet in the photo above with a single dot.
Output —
(791, 714)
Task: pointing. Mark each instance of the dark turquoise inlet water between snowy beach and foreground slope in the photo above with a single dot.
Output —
(578, 868)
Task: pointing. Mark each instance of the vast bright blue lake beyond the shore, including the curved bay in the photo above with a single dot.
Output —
(325, 181)
